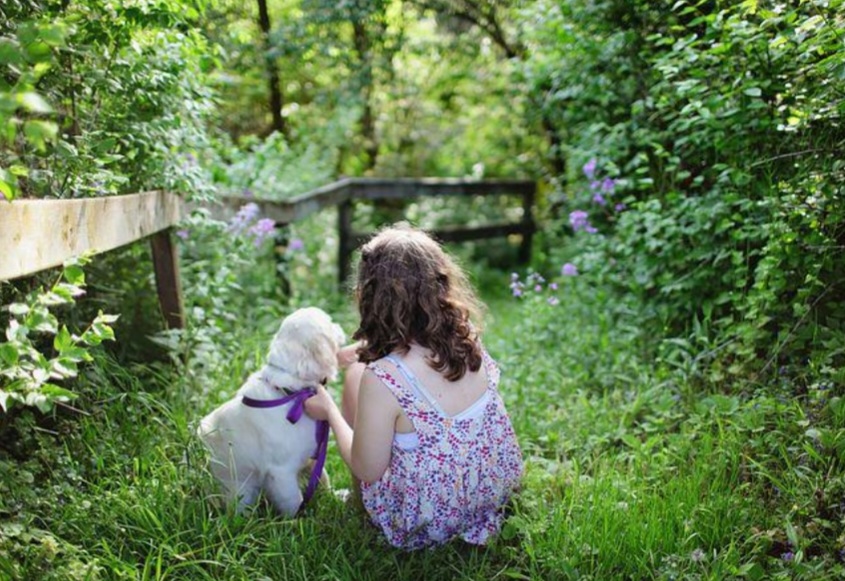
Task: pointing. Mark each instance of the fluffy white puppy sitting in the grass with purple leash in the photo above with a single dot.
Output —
(258, 448)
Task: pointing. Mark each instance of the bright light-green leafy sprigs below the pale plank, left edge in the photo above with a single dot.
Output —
(29, 365)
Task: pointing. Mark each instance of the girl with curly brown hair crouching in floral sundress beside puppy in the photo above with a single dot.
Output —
(423, 427)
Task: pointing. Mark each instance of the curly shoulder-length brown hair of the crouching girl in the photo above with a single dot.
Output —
(410, 290)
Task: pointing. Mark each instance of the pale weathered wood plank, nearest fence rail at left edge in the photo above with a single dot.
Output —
(40, 234)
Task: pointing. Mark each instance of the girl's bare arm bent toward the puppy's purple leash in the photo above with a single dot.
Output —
(366, 450)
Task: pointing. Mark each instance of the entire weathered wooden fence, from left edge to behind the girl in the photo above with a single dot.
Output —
(40, 234)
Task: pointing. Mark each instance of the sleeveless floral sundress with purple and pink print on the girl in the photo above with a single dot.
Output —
(453, 475)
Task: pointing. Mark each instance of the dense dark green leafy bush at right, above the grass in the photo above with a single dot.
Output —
(722, 123)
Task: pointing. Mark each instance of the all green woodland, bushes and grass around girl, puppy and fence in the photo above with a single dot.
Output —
(672, 355)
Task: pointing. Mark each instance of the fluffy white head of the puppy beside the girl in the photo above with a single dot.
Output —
(306, 345)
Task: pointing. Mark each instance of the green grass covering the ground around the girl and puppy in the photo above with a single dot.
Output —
(631, 473)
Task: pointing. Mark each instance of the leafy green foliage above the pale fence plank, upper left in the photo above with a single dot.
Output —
(100, 98)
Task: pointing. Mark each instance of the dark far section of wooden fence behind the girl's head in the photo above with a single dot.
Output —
(345, 193)
